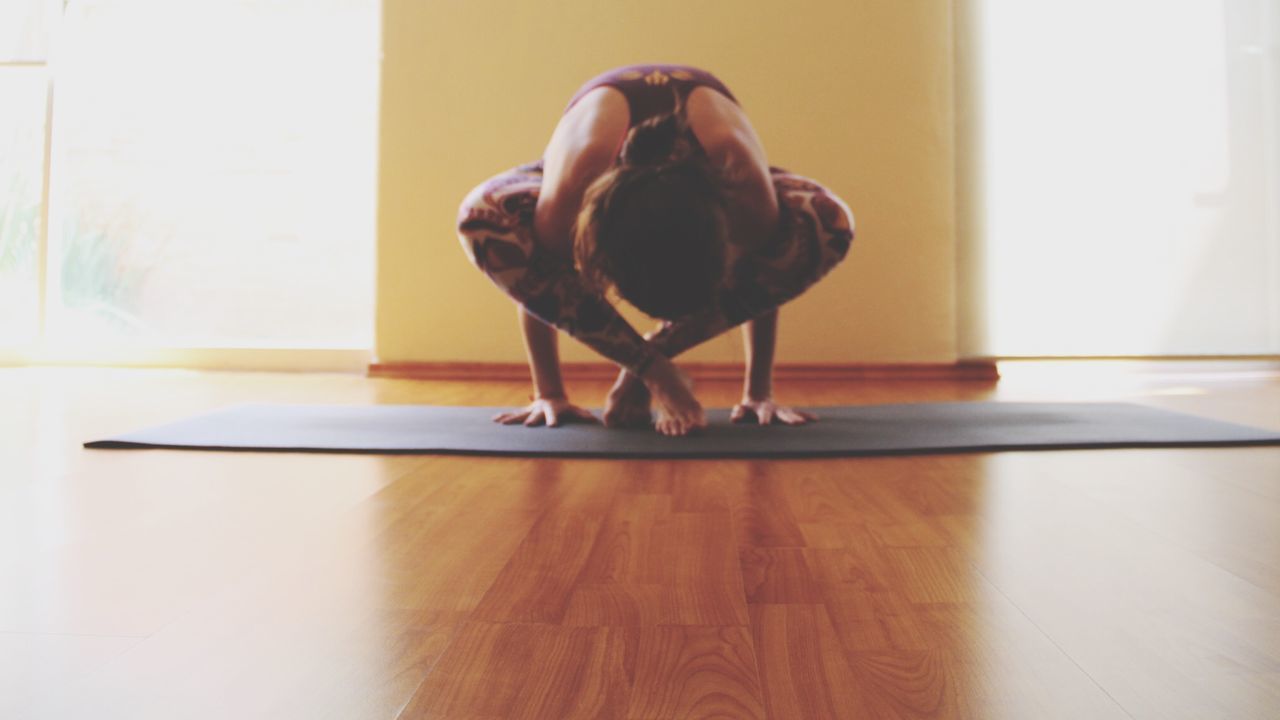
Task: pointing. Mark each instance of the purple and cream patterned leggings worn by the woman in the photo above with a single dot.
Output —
(496, 226)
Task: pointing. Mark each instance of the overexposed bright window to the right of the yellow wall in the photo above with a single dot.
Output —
(1132, 163)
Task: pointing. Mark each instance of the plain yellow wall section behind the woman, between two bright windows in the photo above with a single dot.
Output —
(857, 94)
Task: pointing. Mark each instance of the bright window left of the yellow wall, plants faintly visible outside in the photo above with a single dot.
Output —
(212, 175)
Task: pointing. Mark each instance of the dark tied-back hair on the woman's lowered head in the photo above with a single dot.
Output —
(655, 226)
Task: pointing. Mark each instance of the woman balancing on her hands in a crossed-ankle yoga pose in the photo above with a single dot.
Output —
(653, 186)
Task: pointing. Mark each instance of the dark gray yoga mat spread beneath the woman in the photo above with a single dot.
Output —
(845, 431)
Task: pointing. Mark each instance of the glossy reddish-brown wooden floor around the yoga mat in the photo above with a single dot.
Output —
(1077, 585)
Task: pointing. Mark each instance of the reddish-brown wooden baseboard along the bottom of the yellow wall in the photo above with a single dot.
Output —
(785, 372)
